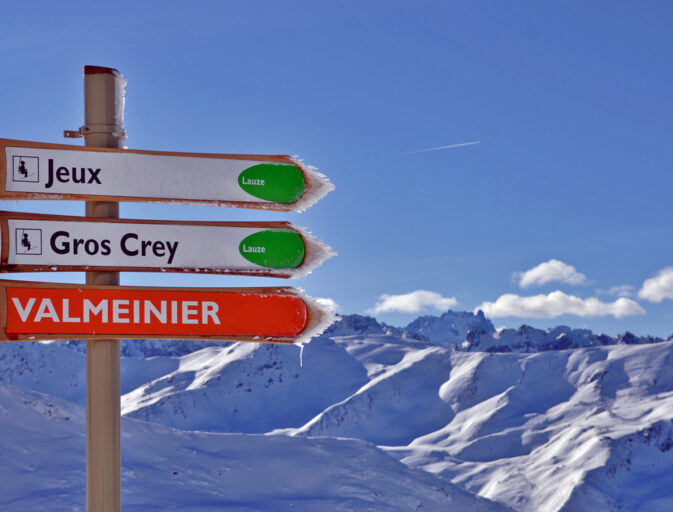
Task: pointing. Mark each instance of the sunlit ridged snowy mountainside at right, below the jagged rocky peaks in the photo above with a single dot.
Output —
(548, 431)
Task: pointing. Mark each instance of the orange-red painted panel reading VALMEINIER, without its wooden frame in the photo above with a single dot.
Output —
(153, 312)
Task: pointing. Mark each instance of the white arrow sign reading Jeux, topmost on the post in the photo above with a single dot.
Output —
(32, 170)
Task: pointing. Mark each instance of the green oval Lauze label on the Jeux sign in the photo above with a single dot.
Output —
(278, 183)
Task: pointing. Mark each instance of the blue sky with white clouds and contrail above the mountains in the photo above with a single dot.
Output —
(571, 105)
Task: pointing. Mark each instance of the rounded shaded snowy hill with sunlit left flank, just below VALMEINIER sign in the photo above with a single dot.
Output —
(247, 387)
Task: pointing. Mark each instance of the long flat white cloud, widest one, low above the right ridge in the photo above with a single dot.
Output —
(556, 304)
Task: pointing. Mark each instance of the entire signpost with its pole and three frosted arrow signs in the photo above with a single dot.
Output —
(102, 312)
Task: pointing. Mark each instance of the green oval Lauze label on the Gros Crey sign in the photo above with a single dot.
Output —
(274, 249)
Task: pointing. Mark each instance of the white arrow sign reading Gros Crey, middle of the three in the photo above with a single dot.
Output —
(32, 242)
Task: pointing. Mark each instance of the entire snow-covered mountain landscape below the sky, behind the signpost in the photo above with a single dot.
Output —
(536, 420)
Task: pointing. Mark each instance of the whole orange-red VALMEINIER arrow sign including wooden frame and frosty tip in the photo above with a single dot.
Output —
(45, 311)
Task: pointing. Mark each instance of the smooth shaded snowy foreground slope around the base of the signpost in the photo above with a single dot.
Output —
(42, 468)
